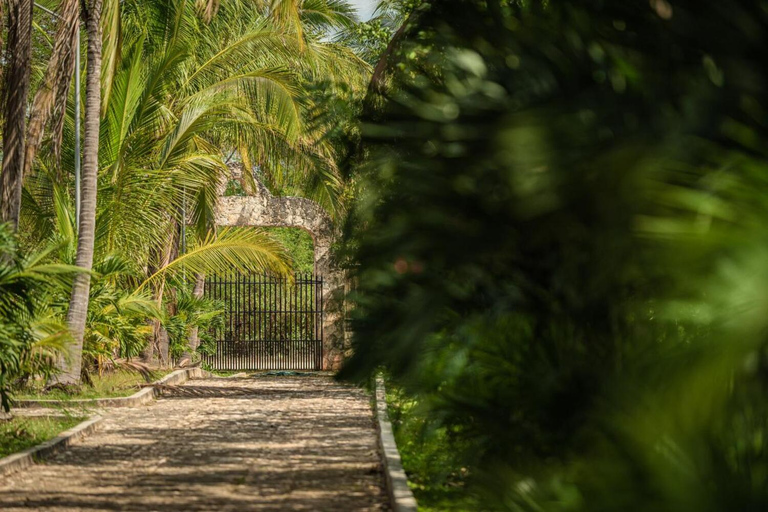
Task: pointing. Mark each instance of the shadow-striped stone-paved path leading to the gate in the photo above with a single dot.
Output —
(262, 443)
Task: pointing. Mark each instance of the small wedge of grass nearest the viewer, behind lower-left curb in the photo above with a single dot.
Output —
(20, 433)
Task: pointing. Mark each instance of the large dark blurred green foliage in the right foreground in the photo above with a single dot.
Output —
(561, 253)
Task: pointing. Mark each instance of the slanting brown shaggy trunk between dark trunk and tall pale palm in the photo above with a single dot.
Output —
(54, 90)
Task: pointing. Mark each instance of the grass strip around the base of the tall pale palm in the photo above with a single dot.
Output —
(110, 385)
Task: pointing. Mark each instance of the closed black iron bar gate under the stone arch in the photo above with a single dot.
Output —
(270, 322)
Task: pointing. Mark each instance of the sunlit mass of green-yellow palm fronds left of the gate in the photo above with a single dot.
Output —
(186, 93)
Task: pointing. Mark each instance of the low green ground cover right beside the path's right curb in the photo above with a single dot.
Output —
(435, 474)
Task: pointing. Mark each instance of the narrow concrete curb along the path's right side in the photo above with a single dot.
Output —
(400, 494)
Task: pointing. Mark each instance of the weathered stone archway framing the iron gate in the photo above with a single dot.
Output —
(262, 209)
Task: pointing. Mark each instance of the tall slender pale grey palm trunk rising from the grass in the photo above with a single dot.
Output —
(78, 303)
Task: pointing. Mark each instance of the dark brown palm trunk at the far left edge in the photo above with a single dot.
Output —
(19, 58)
